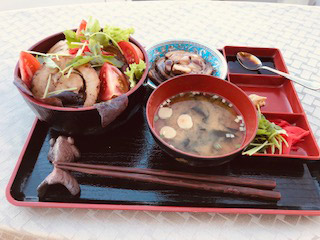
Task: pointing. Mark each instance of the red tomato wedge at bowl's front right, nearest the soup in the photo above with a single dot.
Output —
(113, 82)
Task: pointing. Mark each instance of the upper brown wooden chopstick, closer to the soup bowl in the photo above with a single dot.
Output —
(245, 182)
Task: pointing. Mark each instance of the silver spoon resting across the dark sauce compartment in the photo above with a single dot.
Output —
(251, 62)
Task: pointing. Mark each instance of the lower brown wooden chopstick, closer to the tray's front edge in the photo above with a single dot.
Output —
(171, 181)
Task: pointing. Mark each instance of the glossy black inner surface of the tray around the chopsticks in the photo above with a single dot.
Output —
(133, 145)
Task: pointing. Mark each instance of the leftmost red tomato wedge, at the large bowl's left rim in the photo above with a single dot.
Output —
(28, 65)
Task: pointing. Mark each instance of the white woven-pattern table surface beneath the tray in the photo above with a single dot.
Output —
(294, 29)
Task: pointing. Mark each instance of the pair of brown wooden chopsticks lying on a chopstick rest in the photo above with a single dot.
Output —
(245, 187)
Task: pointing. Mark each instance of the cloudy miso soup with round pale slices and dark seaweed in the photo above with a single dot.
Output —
(199, 123)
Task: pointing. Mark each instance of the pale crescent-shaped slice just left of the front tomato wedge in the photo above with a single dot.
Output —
(92, 82)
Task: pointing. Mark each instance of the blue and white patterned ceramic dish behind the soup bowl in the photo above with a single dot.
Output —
(211, 55)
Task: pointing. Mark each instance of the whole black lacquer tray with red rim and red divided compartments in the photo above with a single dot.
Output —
(297, 174)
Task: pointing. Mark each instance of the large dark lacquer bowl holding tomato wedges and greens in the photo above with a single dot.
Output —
(84, 120)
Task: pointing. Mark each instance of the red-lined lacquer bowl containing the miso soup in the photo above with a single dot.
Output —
(209, 84)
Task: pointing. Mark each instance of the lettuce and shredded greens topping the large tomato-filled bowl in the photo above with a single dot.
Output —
(88, 47)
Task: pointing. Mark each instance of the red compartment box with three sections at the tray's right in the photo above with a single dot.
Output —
(282, 99)
